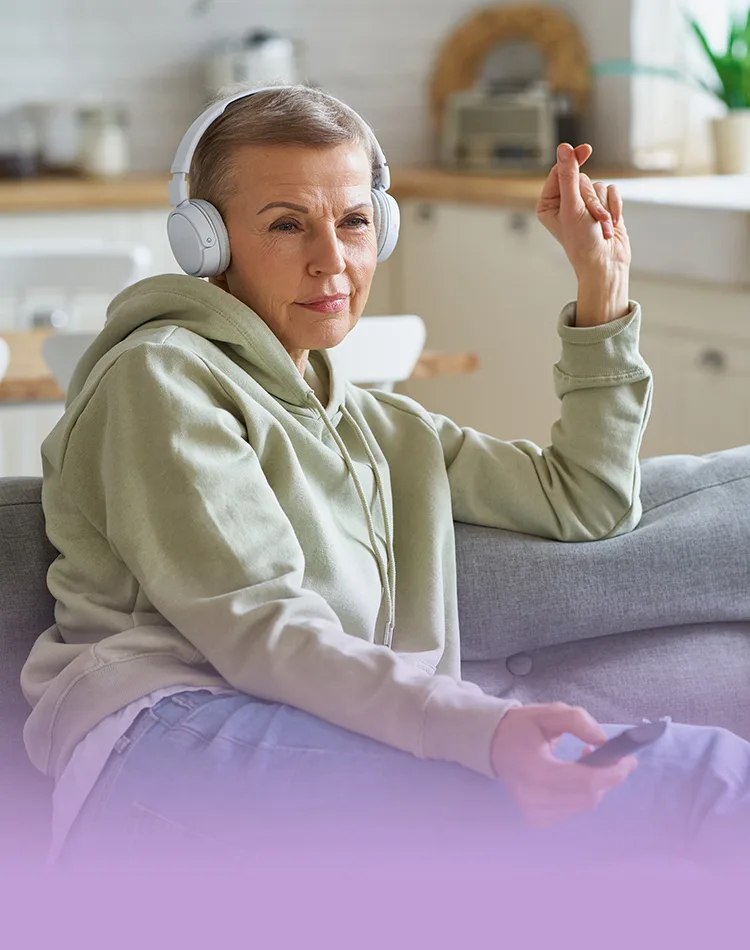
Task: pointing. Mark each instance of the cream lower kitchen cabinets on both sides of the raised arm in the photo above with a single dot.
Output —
(492, 281)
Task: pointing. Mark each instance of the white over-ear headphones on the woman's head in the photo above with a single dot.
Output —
(197, 233)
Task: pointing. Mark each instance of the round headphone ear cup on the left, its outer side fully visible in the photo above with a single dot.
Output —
(198, 238)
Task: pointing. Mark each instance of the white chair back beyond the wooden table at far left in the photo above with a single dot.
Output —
(59, 273)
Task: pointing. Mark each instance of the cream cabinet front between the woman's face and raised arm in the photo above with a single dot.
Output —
(493, 282)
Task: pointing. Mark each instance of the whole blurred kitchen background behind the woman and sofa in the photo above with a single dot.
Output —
(469, 102)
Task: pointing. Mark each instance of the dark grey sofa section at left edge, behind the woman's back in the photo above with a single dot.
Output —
(26, 609)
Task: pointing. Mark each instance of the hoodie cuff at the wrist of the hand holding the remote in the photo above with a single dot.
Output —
(460, 724)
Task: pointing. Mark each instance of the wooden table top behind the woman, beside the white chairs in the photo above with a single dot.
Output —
(28, 380)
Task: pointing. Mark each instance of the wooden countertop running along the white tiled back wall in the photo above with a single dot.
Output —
(150, 191)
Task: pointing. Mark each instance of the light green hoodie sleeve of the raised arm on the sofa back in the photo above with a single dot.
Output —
(585, 485)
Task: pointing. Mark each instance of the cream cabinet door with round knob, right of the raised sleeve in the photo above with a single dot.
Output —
(701, 389)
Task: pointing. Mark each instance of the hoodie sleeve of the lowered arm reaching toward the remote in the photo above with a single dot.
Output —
(158, 462)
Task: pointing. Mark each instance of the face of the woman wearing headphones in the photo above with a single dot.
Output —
(303, 244)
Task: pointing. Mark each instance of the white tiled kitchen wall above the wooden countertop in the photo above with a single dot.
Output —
(374, 53)
